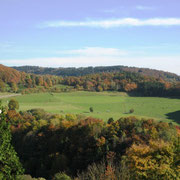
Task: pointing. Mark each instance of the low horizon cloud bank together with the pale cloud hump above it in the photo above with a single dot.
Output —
(98, 56)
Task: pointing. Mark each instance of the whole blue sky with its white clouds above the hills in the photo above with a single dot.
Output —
(54, 33)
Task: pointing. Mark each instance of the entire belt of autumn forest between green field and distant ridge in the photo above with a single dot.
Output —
(14, 81)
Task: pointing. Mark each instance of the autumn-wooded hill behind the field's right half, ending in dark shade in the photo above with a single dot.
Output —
(125, 82)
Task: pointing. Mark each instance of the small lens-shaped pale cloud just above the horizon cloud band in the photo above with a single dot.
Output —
(95, 51)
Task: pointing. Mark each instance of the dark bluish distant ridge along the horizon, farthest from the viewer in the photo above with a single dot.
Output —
(91, 70)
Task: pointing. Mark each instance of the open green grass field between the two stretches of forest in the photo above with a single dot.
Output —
(105, 105)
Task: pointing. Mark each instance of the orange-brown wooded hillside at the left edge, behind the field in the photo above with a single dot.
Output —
(15, 81)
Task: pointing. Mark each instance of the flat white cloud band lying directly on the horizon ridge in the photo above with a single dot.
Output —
(171, 64)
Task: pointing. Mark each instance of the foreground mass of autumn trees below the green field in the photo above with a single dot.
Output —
(55, 146)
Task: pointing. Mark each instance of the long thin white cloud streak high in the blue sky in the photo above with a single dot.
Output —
(111, 23)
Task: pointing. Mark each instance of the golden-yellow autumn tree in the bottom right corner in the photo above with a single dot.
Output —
(153, 161)
